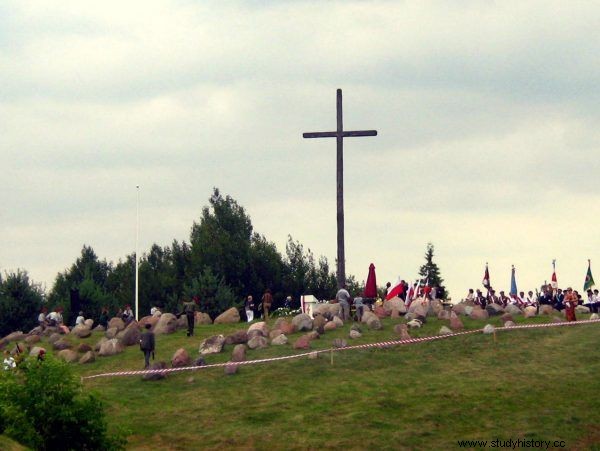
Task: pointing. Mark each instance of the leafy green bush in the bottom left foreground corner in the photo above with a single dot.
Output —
(42, 406)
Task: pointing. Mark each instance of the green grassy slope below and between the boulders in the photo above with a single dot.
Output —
(530, 384)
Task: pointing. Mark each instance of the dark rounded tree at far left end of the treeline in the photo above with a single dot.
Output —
(20, 302)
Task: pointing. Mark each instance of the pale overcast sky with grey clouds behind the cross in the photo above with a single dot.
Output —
(487, 112)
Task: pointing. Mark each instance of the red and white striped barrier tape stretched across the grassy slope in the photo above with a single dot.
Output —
(382, 344)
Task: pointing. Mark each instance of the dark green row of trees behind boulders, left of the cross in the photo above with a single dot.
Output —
(224, 261)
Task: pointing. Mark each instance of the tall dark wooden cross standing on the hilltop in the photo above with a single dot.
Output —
(340, 134)
